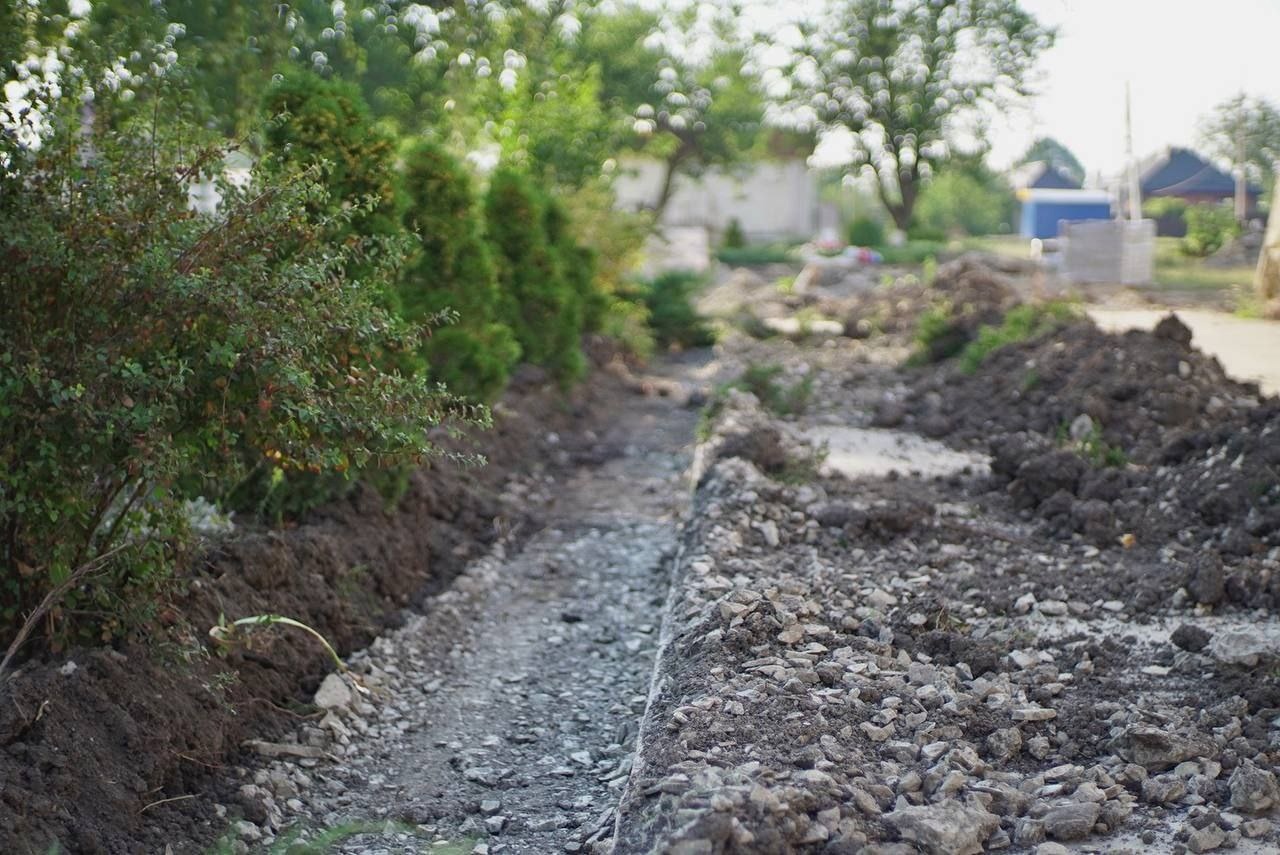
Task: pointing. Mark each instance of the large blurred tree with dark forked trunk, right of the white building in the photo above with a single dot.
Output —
(903, 75)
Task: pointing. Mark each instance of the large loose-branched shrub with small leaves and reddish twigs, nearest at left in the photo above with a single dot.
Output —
(148, 351)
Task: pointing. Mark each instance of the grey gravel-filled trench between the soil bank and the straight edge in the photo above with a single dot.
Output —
(514, 702)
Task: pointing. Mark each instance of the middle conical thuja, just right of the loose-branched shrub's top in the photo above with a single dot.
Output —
(452, 272)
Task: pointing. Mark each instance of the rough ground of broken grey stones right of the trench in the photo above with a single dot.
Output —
(868, 667)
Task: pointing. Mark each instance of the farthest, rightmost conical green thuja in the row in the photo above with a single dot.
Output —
(540, 303)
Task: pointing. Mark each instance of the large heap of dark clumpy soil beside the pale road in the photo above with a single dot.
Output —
(1180, 459)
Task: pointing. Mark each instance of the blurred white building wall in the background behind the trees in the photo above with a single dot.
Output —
(771, 199)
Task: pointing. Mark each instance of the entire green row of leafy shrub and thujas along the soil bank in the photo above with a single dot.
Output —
(262, 356)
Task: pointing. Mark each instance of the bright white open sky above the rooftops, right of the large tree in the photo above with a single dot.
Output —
(1180, 57)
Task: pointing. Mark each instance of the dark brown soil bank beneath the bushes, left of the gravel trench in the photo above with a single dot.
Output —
(112, 749)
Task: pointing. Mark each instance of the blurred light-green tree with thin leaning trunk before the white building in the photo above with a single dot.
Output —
(692, 112)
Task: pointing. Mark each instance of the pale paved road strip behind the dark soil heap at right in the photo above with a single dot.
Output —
(1250, 350)
